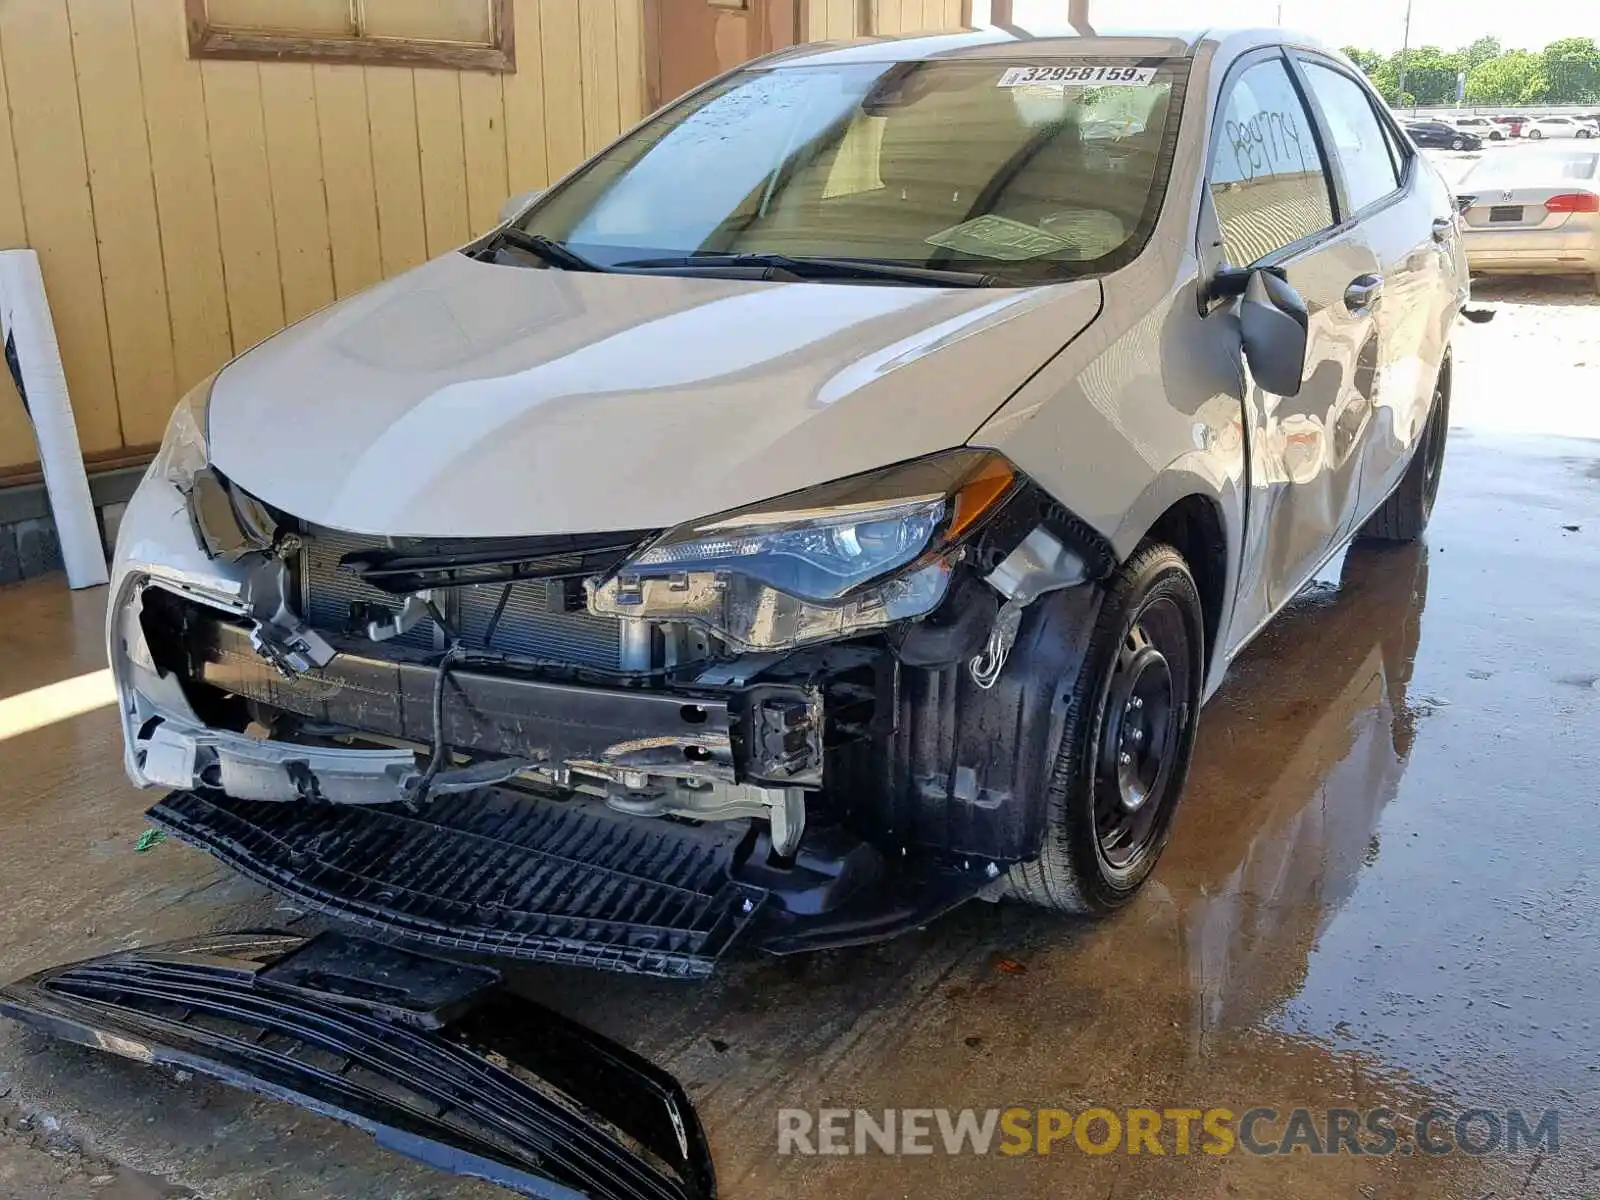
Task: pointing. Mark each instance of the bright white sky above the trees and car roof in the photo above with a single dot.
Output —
(1375, 25)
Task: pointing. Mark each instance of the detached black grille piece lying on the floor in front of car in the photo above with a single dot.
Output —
(430, 1057)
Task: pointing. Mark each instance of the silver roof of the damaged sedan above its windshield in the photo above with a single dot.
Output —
(998, 42)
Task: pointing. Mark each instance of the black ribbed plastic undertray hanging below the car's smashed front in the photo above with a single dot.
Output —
(494, 873)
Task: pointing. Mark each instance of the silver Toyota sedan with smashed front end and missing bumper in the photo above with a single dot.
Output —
(831, 503)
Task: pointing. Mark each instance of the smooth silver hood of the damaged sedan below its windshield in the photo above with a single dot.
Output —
(466, 399)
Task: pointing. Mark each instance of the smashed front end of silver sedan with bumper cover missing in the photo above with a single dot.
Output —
(801, 719)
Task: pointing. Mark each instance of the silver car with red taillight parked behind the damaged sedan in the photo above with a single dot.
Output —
(1534, 212)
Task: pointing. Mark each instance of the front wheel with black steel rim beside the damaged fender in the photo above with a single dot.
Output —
(1130, 732)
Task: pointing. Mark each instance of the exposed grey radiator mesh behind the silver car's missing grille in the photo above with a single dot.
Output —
(530, 622)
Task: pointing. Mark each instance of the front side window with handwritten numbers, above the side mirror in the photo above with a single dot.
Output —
(1268, 178)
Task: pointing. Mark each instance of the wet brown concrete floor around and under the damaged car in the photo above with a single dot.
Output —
(1383, 890)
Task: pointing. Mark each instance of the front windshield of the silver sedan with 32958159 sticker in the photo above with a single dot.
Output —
(1023, 172)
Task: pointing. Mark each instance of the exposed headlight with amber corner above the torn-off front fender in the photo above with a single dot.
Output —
(833, 561)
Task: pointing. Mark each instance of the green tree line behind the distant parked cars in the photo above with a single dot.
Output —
(1564, 73)
